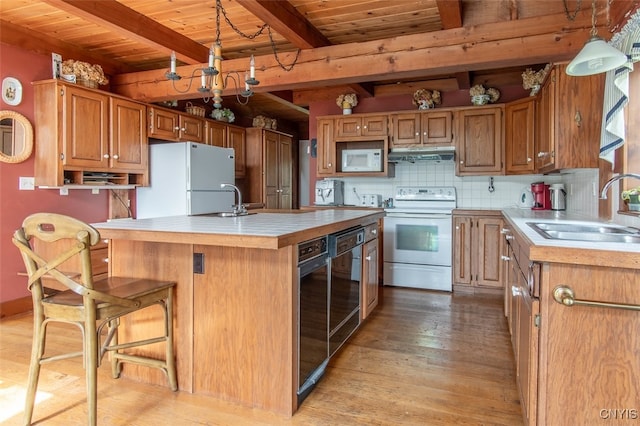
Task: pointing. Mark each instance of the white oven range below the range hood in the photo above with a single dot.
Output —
(417, 238)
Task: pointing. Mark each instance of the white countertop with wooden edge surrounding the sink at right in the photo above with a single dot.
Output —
(582, 252)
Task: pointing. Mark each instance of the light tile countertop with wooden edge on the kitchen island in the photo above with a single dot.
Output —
(262, 230)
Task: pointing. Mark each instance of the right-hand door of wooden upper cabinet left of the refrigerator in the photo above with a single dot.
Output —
(128, 137)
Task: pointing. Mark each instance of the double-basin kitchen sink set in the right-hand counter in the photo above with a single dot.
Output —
(595, 232)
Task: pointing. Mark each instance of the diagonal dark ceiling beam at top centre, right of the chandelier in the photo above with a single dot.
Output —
(287, 21)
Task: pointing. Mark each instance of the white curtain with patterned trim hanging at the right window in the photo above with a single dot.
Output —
(616, 90)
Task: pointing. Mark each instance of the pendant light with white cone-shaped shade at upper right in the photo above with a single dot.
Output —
(596, 56)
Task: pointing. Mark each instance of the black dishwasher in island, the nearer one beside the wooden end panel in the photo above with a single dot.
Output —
(313, 309)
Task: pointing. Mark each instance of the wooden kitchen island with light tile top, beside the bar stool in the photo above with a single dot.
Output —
(236, 296)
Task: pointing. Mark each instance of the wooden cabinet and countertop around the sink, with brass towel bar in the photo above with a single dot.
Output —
(572, 308)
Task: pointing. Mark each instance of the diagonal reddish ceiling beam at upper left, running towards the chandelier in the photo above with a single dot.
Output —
(134, 25)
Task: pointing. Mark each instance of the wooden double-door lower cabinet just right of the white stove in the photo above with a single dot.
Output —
(477, 250)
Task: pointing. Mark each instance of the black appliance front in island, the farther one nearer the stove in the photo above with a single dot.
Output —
(345, 249)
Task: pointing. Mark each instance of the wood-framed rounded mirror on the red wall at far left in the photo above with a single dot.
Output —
(17, 137)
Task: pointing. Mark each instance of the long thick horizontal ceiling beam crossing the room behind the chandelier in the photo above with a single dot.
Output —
(497, 45)
